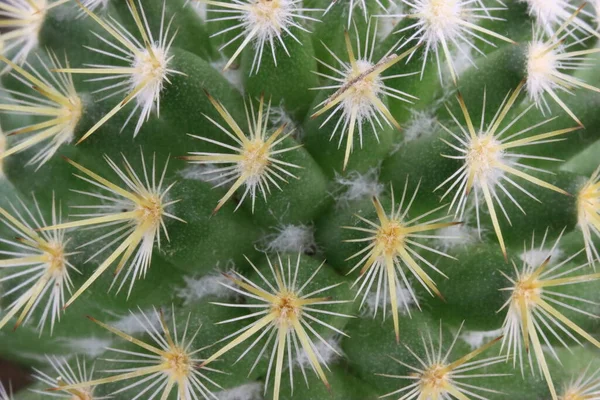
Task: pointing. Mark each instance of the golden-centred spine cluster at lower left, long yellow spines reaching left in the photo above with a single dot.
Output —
(169, 361)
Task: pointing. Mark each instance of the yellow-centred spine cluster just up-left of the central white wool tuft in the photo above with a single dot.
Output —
(254, 159)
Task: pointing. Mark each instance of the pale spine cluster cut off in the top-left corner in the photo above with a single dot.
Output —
(24, 19)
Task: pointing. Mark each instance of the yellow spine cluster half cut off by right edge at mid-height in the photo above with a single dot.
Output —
(588, 215)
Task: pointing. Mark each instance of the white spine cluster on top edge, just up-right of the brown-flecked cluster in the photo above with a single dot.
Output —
(440, 24)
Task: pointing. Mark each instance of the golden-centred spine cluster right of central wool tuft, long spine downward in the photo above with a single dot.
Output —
(390, 245)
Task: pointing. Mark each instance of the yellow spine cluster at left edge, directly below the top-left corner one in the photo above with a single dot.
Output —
(50, 98)
